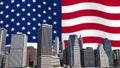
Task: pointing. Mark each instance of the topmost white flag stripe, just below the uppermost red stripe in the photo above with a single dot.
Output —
(90, 5)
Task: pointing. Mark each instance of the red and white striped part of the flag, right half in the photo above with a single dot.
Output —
(94, 20)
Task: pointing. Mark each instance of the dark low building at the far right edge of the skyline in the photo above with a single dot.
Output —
(116, 54)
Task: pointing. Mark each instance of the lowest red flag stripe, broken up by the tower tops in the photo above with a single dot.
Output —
(96, 40)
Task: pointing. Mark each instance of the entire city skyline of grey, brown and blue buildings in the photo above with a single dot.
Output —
(55, 56)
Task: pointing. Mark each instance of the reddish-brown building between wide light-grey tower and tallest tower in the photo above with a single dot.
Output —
(31, 56)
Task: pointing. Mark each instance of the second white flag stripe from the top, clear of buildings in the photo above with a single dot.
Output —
(90, 19)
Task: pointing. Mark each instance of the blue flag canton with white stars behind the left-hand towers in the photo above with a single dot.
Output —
(26, 16)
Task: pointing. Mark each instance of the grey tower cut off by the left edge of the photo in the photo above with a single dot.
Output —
(3, 33)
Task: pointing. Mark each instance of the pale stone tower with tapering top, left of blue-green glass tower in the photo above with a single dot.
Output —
(101, 57)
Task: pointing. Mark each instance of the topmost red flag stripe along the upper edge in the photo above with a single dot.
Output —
(105, 2)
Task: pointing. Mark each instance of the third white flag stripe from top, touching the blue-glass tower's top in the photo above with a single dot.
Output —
(95, 33)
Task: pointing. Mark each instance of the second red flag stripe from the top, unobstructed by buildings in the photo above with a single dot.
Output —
(90, 13)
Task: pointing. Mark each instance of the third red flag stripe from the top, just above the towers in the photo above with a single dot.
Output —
(92, 26)
